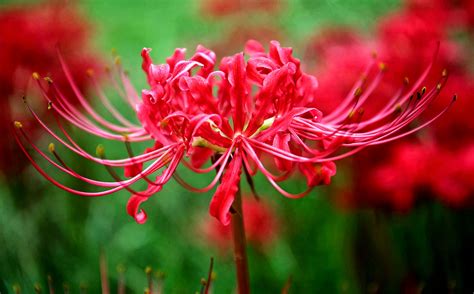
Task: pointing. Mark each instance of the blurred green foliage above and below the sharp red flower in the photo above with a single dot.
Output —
(44, 230)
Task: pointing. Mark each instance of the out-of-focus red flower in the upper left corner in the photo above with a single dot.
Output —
(29, 37)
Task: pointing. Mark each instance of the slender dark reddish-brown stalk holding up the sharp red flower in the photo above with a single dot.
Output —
(240, 245)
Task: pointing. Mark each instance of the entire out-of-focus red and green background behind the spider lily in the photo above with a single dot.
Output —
(396, 219)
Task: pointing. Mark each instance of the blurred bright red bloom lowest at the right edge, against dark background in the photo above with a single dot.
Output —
(418, 170)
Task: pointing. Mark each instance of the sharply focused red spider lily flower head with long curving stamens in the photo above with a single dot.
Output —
(250, 105)
